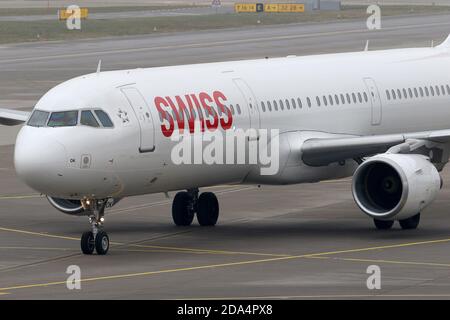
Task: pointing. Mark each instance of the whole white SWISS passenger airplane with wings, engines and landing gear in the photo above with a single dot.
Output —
(381, 117)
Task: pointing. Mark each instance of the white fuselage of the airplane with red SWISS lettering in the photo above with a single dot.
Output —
(364, 93)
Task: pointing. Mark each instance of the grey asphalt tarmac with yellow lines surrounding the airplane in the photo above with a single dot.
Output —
(305, 241)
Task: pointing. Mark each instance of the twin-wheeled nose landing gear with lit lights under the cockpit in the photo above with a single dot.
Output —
(97, 239)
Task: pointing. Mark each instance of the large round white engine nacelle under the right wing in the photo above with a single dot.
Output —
(395, 186)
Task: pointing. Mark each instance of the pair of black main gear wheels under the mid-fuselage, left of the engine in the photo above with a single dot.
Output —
(188, 203)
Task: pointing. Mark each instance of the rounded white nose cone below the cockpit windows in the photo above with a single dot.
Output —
(39, 159)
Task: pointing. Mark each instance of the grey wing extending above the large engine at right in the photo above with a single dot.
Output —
(324, 151)
